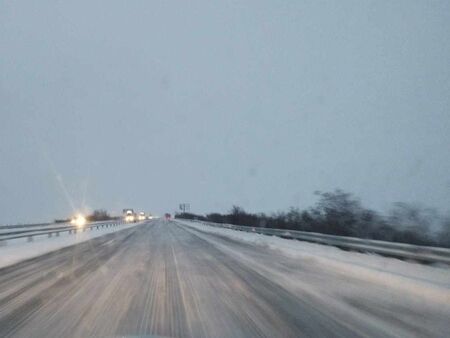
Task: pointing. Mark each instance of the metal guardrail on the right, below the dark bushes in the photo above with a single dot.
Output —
(425, 254)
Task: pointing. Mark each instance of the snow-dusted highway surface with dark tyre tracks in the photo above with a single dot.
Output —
(166, 279)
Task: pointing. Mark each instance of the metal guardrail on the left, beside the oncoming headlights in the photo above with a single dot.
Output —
(52, 231)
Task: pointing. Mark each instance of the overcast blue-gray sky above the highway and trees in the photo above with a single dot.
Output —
(147, 104)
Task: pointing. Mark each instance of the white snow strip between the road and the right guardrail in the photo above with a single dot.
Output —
(431, 282)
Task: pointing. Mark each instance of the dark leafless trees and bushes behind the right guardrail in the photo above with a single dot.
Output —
(340, 213)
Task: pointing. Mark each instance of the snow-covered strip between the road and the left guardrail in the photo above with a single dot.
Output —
(19, 249)
